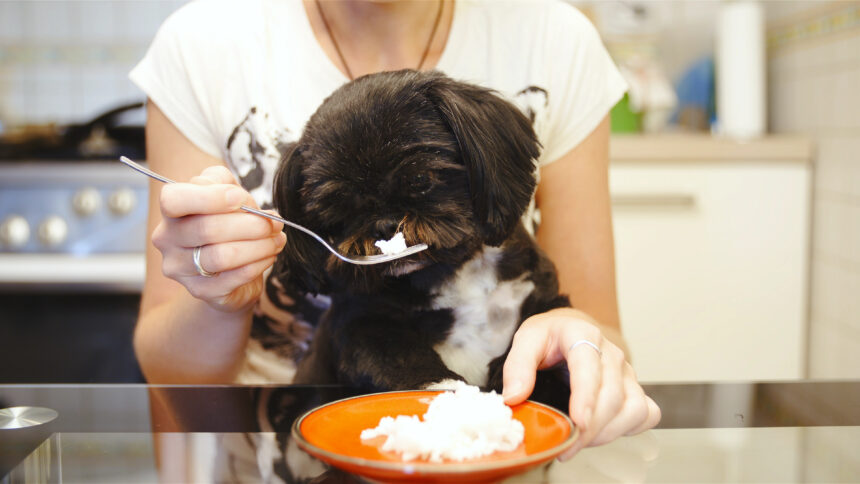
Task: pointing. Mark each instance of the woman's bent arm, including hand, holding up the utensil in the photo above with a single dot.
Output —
(193, 329)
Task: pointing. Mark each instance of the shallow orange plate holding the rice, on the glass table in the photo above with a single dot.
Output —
(332, 433)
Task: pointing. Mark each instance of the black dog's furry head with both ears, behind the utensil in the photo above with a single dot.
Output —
(446, 163)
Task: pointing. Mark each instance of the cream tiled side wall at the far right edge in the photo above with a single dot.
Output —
(814, 69)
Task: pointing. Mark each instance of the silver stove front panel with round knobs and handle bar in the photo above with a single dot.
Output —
(80, 224)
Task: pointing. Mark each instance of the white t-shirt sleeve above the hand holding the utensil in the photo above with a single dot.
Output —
(172, 75)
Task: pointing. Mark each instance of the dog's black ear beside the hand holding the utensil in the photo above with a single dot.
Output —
(300, 263)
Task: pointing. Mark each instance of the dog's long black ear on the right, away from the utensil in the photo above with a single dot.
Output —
(498, 147)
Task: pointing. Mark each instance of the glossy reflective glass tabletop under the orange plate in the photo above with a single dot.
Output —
(804, 431)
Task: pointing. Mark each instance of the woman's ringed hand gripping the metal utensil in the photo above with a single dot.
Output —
(235, 245)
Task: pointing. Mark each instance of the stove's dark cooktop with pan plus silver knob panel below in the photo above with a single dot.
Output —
(73, 217)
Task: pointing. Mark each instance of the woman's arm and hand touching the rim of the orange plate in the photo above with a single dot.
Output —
(576, 231)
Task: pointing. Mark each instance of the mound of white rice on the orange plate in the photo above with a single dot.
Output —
(459, 425)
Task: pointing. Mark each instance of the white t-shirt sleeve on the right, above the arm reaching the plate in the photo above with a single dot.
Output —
(584, 81)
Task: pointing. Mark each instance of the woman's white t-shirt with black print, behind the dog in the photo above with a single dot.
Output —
(240, 79)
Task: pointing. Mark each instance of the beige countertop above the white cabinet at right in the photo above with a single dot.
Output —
(704, 147)
